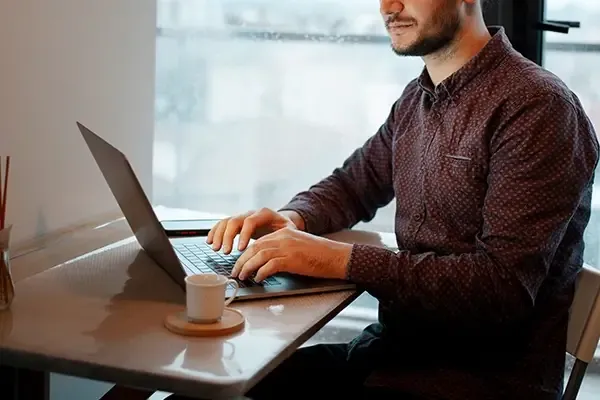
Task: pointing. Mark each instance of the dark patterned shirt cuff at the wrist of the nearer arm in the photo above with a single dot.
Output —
(370, 265)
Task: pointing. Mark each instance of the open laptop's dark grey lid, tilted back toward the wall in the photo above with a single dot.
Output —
(134, 204)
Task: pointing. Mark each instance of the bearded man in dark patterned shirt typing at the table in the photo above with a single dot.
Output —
(491, 161)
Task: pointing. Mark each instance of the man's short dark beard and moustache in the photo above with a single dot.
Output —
(438, 34)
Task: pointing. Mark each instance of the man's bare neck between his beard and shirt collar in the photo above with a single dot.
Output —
(468, 42)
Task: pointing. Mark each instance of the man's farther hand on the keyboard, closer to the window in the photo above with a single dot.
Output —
(251, 225)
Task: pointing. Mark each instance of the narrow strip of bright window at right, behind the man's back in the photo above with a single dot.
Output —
(575, 58)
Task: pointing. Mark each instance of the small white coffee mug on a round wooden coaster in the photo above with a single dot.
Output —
(205, 297)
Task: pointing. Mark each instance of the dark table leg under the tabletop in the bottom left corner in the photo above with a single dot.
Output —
(24, 384)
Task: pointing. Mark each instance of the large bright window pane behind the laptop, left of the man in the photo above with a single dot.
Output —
(258, 99)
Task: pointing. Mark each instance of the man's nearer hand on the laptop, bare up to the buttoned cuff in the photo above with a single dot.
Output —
(293, 251)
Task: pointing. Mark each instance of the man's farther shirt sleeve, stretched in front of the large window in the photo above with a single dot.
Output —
(353, 192)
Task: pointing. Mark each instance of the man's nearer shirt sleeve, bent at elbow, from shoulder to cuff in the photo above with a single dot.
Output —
(542, 165)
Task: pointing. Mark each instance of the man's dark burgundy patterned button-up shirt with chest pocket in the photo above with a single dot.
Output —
(492, 173)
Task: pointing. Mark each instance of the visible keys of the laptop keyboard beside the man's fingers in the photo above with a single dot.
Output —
(200, 258)
